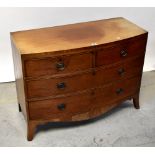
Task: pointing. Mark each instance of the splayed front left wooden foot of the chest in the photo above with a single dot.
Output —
(31, 127)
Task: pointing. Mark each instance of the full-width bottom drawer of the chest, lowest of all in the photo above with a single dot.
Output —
(66, 108)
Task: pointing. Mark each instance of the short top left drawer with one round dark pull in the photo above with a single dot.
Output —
(57, 65)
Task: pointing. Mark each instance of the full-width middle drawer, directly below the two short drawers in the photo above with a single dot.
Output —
(70, 84)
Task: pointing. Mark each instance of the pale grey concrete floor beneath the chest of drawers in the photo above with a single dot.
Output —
(122, 126)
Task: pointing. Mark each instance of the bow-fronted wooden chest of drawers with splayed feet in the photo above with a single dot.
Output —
(77, 72)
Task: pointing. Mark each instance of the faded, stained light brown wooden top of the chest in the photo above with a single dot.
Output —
(74, 36)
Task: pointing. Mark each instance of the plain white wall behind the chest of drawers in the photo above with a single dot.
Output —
(14, 19)
